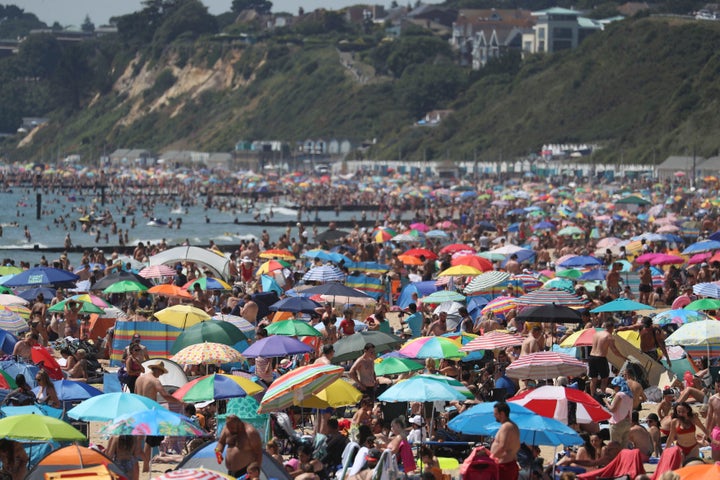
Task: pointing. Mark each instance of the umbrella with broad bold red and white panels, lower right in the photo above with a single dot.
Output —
(552, 402)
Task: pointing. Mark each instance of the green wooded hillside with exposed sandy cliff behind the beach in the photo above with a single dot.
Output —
(642, 89)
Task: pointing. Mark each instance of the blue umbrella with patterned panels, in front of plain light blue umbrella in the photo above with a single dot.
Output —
(154, 421)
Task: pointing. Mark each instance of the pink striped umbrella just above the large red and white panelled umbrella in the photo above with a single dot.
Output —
(542, 365)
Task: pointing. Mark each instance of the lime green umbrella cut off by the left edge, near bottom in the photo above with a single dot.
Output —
(32, 427)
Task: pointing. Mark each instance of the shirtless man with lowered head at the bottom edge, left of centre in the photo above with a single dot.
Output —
(244, 446)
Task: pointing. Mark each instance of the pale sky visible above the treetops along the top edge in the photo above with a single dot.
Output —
(72, 12)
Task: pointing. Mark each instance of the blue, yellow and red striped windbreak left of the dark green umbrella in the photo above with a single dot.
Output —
(157, 337)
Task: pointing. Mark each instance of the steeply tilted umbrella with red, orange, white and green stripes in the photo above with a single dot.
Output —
(292, 388)
